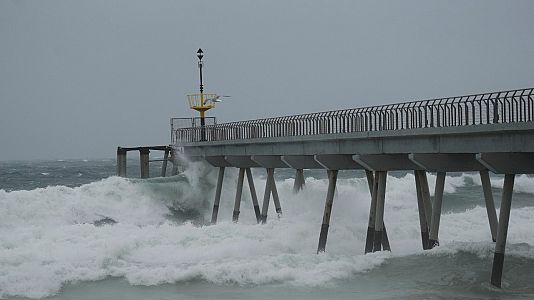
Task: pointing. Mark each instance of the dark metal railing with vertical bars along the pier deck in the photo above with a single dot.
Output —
(490, 108)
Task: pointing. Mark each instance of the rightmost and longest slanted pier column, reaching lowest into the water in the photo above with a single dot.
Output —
(502, 232)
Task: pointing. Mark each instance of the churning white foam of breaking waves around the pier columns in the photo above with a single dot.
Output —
(48, 239)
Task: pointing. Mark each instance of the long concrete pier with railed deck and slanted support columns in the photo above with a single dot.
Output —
(489, 132)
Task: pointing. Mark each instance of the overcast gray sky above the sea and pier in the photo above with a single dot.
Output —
(78, 78)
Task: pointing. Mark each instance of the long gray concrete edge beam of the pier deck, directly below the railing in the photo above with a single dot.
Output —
(514, 137)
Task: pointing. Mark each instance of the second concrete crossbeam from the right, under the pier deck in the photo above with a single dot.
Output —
(441, 162)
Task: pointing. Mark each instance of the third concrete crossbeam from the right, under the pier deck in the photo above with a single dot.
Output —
(386, 162)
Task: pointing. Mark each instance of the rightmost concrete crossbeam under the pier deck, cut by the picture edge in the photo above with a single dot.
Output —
(508, 163)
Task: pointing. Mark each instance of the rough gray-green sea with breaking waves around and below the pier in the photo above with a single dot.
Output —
(69, 229)
